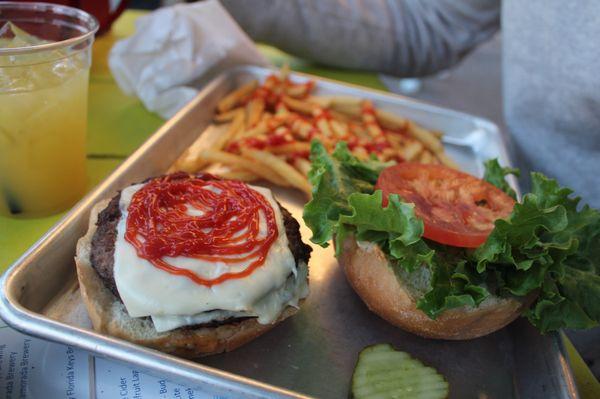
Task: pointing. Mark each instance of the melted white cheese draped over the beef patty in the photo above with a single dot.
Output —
(173, 301)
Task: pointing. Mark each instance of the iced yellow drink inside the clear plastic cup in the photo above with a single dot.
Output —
(42, 147)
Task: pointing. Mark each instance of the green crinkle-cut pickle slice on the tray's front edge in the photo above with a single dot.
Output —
(382, 372)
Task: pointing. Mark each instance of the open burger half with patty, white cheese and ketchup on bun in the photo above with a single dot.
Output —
(191, 264)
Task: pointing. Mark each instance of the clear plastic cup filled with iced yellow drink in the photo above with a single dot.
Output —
(45, 58)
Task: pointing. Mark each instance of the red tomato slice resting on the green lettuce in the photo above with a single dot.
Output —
(456, 208)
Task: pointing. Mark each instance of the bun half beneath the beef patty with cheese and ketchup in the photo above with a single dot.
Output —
(109, 316)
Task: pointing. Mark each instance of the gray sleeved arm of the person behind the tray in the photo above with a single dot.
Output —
(398, 37)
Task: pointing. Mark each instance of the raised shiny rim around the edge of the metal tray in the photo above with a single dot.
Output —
(36, 324)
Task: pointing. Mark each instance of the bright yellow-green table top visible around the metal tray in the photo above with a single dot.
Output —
(118, 124)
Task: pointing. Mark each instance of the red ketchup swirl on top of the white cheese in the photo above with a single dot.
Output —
(212, 220)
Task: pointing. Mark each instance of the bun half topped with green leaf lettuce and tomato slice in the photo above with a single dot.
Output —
(446, 255)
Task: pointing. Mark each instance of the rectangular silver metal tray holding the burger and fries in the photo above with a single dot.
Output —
(314, 352)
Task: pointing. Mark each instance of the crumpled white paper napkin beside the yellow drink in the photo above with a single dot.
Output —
(176, 46)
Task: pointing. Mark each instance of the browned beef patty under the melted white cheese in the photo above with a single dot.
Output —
(103, 241)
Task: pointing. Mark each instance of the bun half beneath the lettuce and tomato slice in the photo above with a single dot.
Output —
(371, 276)
